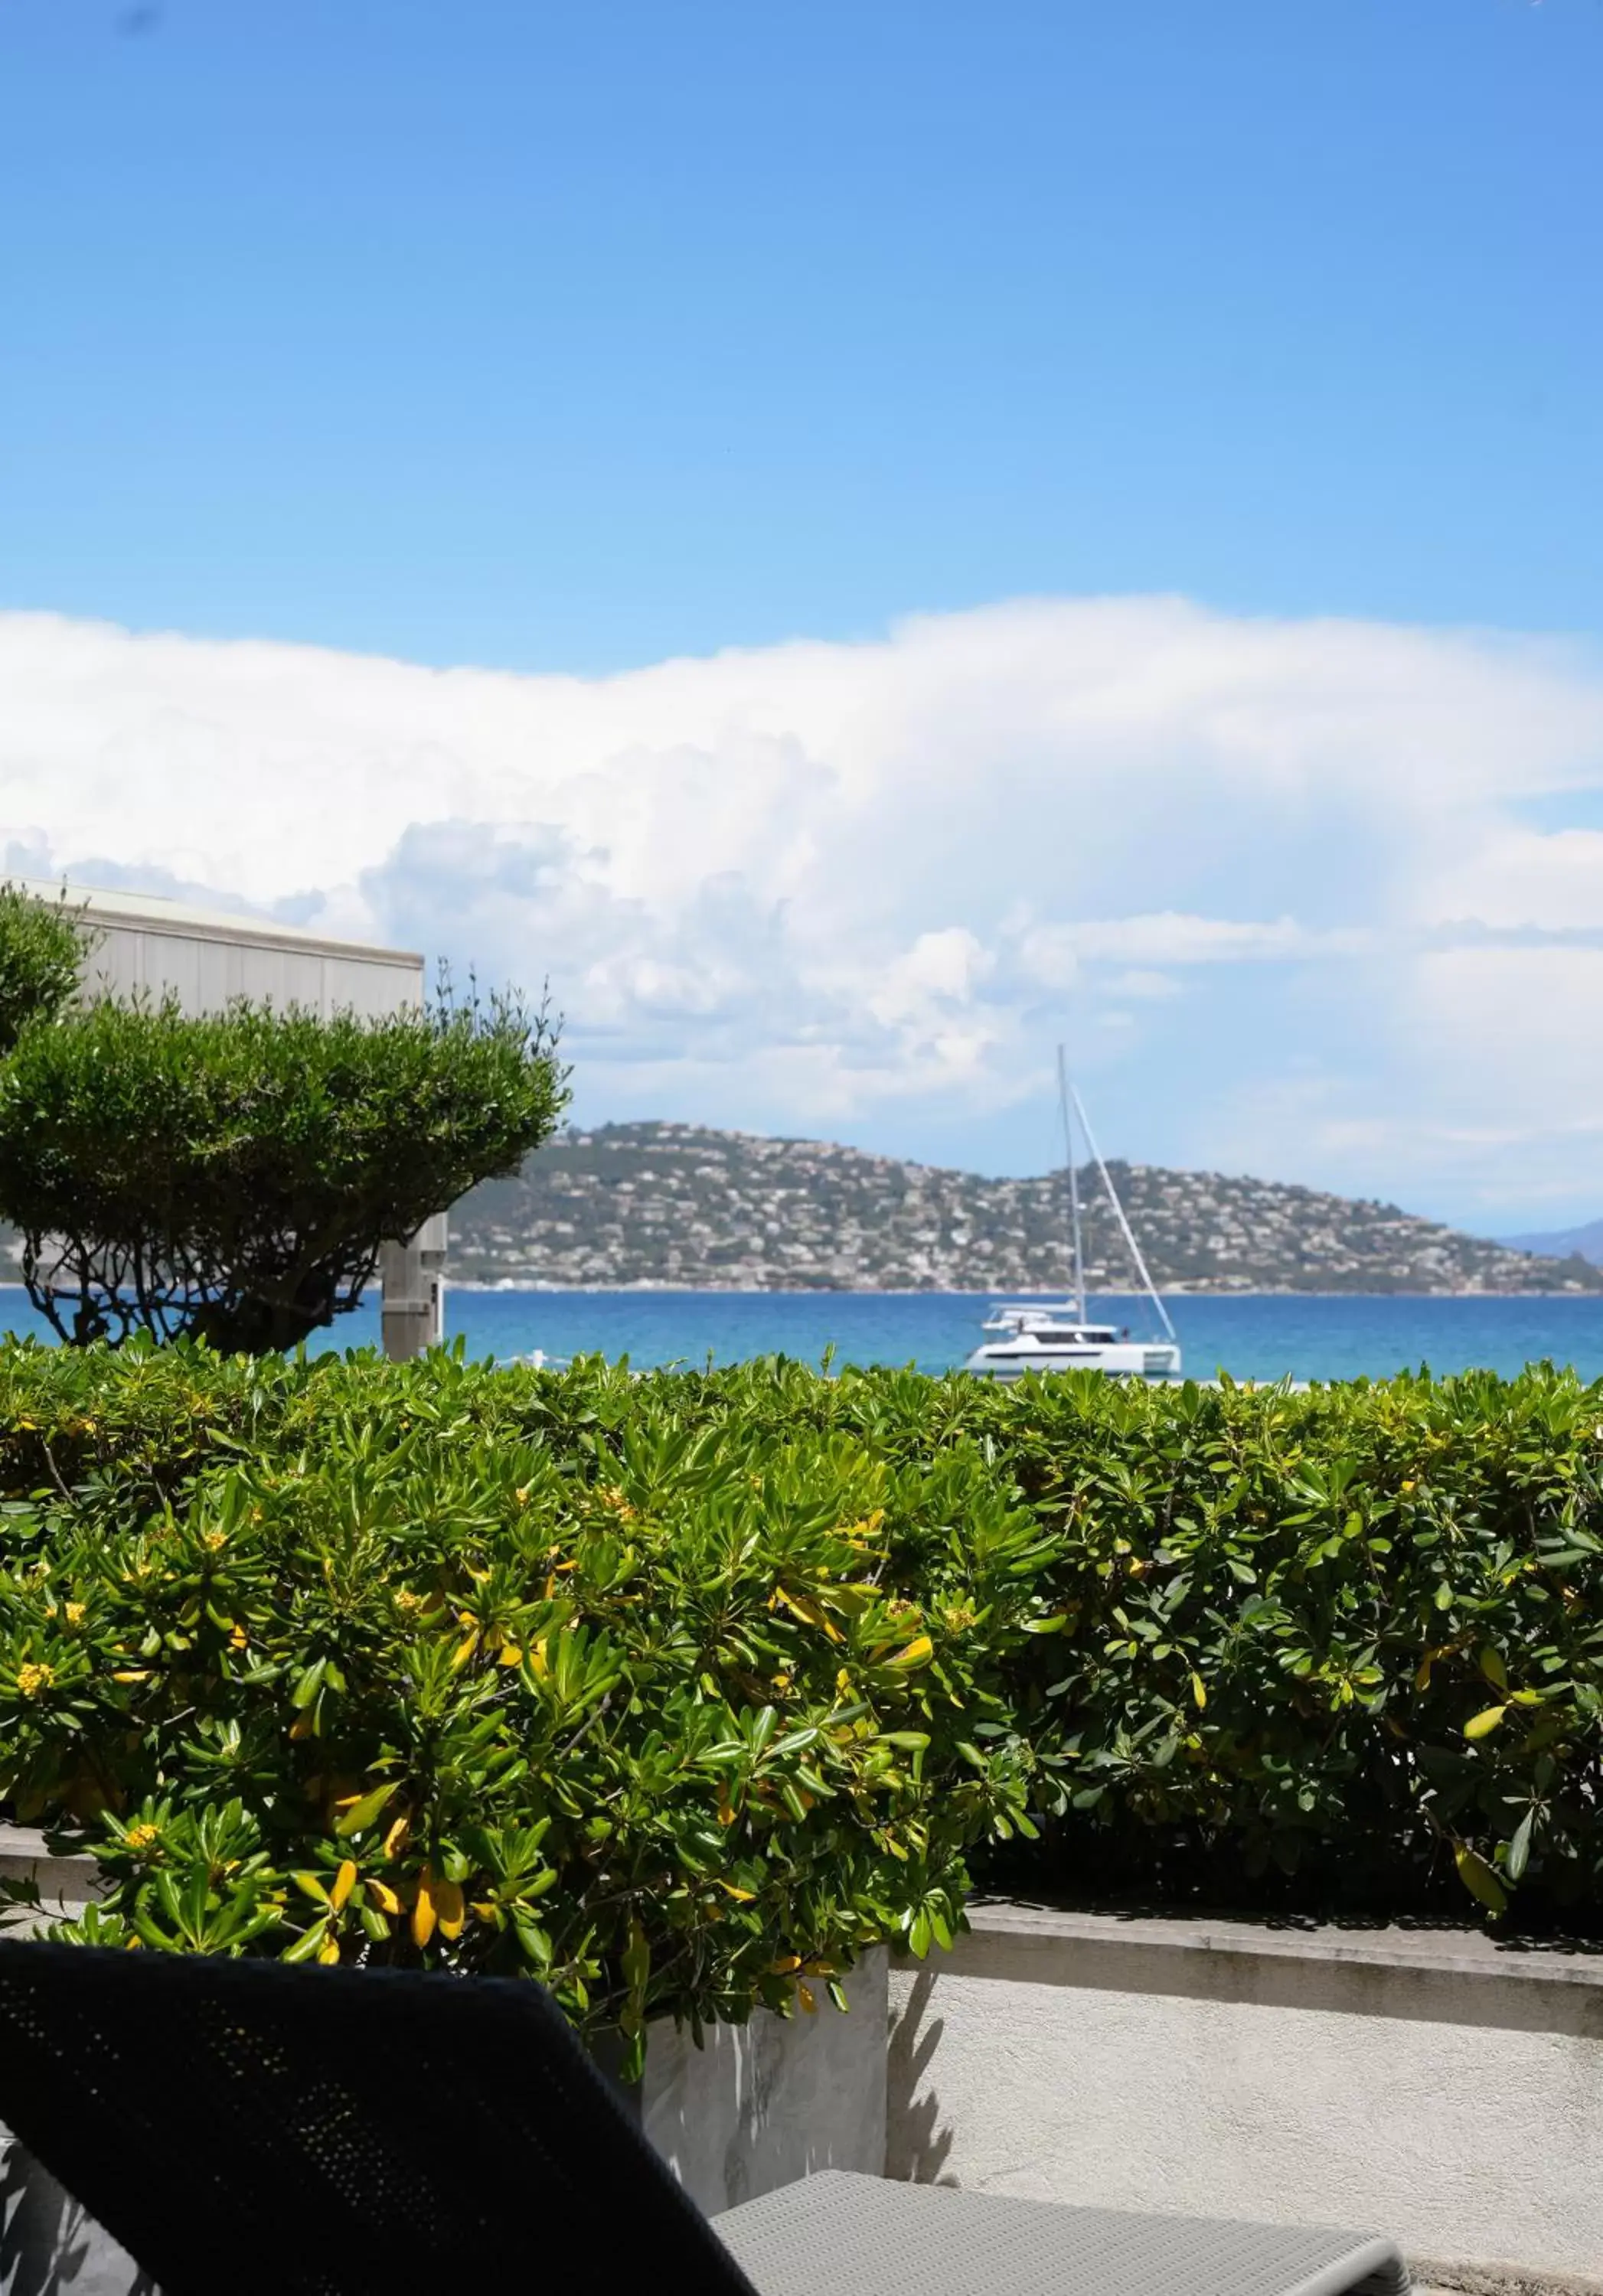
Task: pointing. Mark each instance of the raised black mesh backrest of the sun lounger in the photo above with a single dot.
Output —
(249, 2127)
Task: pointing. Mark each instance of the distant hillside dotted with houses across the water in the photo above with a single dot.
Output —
(727, 1211)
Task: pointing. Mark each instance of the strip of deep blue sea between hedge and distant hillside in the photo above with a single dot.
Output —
(1250, 1337)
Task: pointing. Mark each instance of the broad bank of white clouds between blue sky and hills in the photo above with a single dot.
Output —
(1276, 881)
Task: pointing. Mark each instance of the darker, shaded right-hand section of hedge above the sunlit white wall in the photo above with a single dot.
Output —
(1354, 1636)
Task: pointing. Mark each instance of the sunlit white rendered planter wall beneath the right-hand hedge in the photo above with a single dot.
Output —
(1427, 2084)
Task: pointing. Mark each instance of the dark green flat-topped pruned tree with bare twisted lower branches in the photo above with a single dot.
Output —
(233, 1177)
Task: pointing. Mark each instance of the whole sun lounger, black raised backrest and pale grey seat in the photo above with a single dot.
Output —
(251, 2130)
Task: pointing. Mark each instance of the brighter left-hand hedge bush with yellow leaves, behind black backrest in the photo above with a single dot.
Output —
(440, 1666)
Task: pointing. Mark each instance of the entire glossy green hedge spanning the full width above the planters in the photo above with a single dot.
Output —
(679, 1691)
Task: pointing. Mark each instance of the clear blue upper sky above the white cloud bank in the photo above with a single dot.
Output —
(580, 336)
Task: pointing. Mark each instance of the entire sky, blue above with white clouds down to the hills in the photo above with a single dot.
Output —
(573, 341)
